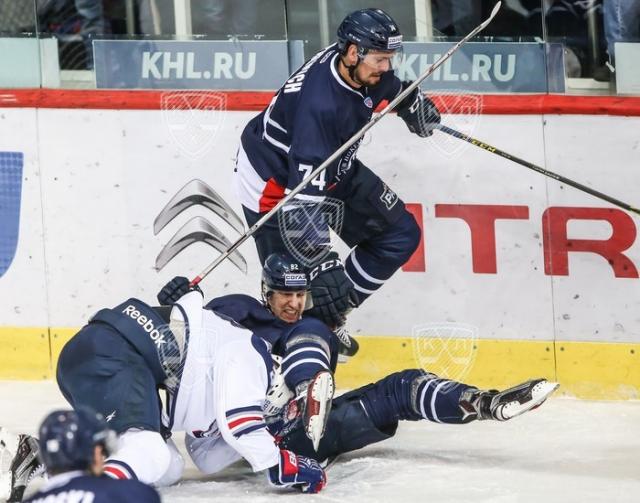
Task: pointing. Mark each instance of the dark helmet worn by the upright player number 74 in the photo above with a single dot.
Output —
(369, 29)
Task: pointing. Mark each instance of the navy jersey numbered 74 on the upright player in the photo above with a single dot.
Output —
(311, 116)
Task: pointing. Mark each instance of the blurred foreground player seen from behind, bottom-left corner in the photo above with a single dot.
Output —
(73, 445)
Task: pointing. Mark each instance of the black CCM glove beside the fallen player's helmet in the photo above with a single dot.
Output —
(332, 292)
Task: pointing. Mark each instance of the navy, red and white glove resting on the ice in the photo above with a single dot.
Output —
(297, 471)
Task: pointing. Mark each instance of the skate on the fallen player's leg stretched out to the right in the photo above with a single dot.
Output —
(503, 405)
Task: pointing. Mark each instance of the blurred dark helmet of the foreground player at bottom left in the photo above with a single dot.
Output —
(68, 437)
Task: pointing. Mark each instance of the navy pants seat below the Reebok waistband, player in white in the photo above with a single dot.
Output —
(98, 368)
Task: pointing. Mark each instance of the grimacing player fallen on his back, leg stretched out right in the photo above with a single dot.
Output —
(366, 415)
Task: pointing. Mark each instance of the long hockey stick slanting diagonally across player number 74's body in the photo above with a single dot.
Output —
(374, 120)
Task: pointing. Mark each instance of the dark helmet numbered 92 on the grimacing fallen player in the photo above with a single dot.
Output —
(283, 274)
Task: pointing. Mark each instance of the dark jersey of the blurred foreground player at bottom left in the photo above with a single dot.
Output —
(78, 487)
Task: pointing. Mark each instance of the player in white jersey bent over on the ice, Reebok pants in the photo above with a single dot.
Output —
(216, 375)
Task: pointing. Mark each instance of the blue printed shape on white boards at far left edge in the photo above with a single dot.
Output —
(10, 193)
